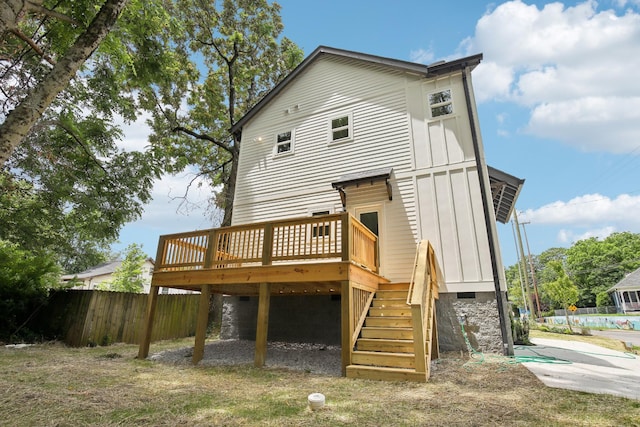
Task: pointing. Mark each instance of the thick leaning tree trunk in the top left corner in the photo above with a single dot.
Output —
(19, 121)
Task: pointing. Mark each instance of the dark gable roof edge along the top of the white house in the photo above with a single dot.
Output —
(435, 69)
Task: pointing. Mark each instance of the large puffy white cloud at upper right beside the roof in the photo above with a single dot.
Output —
(573, 67)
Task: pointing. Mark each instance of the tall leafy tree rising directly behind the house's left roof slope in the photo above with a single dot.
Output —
(240, 56)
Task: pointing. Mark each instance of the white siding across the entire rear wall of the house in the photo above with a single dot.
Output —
(435, 187)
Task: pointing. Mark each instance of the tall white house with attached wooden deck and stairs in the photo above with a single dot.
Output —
(396, 146)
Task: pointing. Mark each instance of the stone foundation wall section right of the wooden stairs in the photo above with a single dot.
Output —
(478, 313)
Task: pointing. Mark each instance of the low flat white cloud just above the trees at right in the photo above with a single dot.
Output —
(590, 210)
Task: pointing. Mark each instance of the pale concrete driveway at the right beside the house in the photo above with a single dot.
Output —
(584, 367)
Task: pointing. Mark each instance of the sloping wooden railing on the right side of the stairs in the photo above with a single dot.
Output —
(423, 290)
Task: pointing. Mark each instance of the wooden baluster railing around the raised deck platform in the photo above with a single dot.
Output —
(309, 239)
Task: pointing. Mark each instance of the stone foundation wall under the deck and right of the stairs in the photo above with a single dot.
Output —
(316, 319)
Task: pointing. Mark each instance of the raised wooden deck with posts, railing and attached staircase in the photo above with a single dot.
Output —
(331, 254)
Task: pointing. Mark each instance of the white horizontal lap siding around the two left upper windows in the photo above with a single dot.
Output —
(381, 137)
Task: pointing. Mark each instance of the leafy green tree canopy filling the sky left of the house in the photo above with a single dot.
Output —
(194, 66)
